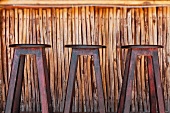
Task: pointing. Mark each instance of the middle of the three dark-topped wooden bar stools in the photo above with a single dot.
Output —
(84, 50)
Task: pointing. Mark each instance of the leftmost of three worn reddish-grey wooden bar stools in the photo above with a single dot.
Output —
(15, 85)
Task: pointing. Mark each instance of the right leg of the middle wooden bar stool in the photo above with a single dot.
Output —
(99, 81)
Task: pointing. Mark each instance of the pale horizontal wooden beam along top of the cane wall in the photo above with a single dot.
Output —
(71, 3)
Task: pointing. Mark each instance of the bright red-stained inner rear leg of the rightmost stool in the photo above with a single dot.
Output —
(152, 91)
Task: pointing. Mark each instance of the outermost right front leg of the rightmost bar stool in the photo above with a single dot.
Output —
(158, 82)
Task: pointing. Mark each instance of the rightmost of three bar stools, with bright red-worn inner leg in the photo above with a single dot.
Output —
(155, 89)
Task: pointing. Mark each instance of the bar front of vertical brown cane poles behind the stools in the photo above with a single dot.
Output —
(112, 27)
